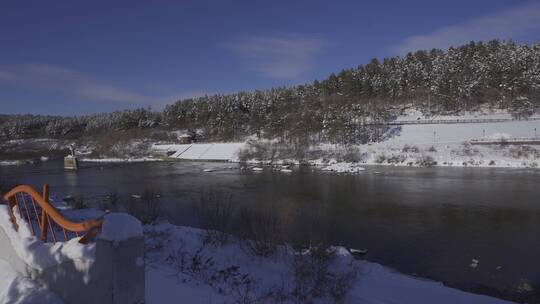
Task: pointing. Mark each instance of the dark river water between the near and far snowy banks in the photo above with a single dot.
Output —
(430, 222)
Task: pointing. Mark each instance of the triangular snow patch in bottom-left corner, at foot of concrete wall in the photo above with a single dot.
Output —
(16, 289)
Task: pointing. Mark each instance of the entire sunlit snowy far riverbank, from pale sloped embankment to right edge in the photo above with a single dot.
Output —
(418, 145)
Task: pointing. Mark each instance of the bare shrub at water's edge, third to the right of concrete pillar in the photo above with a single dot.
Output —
(260, 232)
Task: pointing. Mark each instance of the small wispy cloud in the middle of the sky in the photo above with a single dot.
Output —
(281, 57)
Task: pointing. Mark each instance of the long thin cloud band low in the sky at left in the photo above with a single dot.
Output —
(79, 86)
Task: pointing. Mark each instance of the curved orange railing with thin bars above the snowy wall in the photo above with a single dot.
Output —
(43, 218)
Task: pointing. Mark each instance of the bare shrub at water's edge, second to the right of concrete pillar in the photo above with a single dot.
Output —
(214, 212)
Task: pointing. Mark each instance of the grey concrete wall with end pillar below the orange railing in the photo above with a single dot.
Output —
(116, 276)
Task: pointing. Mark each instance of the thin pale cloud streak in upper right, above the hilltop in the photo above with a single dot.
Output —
(509, 24)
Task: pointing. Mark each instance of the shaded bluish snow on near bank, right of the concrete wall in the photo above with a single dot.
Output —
(216, 275)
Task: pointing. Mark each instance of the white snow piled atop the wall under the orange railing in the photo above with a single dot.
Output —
(39, 255)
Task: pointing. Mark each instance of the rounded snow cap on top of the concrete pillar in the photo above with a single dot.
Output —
(119, 227)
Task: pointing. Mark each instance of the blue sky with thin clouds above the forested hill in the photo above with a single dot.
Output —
(78, 57)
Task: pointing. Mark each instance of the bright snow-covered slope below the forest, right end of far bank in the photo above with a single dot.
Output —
(449, 145)
